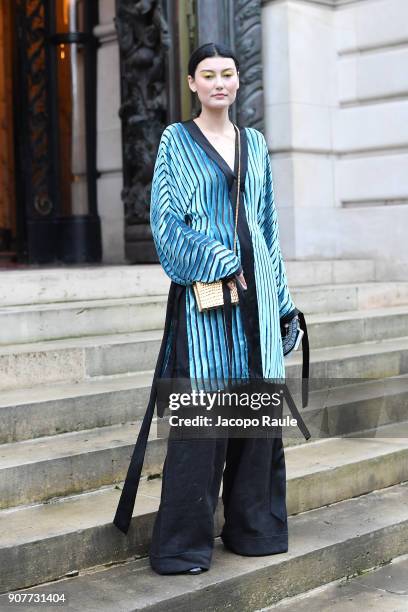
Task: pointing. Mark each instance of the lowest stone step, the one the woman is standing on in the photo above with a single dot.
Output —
(325, 544)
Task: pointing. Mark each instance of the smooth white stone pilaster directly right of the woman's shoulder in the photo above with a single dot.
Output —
(299, 90)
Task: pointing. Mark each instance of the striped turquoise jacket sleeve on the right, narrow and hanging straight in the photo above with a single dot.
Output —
(268, 220)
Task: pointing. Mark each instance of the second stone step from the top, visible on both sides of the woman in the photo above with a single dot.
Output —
(50, 321)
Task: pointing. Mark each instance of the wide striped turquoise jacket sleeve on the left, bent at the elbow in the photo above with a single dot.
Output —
(185, 254)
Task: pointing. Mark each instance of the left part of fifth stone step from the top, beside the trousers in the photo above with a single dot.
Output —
(44, 468)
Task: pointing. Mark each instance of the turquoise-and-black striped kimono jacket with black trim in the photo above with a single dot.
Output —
(192, 218)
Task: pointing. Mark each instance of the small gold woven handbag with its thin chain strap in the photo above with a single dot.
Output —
(210, 295)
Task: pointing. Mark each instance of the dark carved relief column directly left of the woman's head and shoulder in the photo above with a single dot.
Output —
(143, 41)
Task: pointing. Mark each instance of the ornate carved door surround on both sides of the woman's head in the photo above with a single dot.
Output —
(155, 39)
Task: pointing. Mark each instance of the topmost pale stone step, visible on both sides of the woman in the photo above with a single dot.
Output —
(81, 283)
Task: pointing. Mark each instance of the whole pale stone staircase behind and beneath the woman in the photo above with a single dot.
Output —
(77, 348)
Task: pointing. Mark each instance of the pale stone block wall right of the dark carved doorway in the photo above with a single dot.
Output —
(336, 85)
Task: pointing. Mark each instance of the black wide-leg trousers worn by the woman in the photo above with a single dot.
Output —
(254, 500)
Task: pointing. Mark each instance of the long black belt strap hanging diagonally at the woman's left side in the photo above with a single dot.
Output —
(127, 499)
